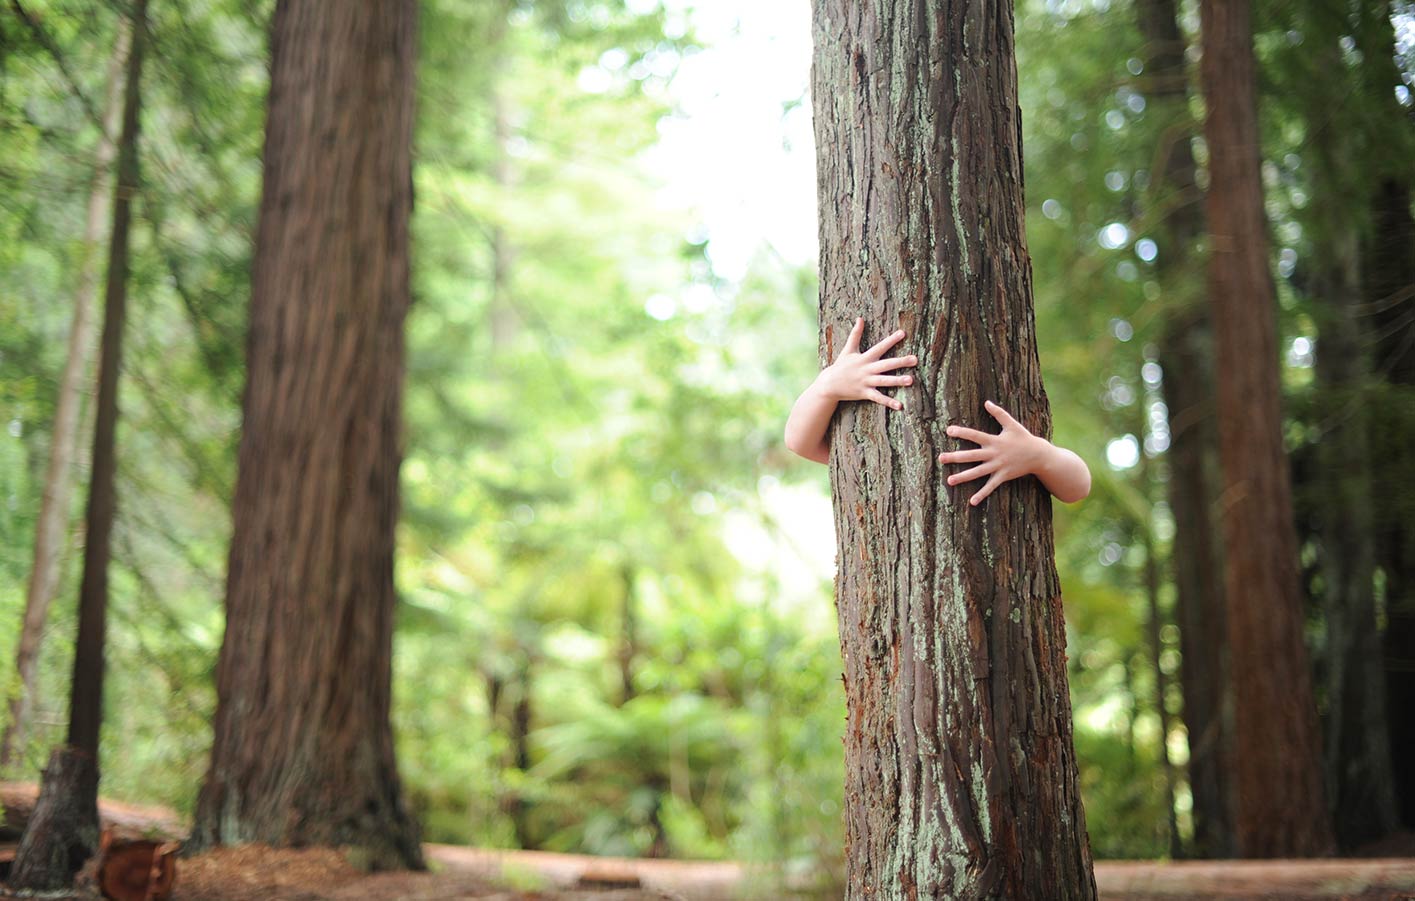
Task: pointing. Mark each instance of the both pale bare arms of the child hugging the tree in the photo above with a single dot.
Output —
(860, 376)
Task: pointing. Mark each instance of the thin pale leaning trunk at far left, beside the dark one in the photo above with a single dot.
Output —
(50, 534)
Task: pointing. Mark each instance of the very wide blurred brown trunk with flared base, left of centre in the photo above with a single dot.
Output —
(304, 748)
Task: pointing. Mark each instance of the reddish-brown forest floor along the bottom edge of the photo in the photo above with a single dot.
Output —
(260, 873)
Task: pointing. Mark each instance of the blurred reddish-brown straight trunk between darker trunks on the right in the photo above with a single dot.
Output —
(1280, 808)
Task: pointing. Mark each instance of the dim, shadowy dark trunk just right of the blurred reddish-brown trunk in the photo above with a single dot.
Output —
(1359, 776)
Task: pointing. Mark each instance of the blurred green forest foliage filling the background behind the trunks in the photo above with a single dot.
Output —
(615, 632)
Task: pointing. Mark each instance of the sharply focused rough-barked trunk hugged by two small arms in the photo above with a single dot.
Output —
(961, 777)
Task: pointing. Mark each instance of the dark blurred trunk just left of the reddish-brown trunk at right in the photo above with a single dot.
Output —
(1186, 357)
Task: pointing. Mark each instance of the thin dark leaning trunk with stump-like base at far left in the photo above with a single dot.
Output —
(64, 830)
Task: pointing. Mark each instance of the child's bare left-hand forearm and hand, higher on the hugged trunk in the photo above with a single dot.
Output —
(853, 377)
